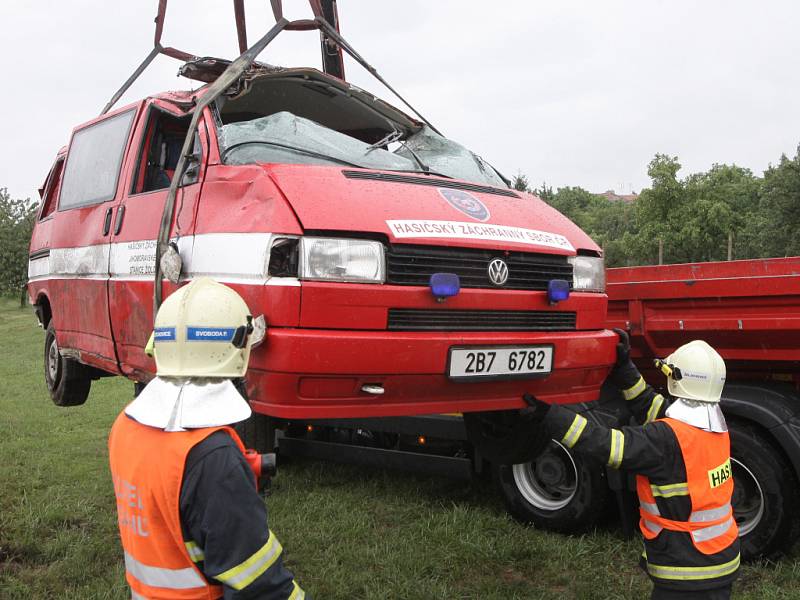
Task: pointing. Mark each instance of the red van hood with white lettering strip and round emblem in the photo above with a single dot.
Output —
(414, 208)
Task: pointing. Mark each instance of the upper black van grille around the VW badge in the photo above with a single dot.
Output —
(414, 265)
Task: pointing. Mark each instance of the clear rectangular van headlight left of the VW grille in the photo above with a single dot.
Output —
(333, 259)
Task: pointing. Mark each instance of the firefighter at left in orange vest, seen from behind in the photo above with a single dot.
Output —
(190, 517)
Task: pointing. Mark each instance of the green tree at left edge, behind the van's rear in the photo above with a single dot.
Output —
(16, 224)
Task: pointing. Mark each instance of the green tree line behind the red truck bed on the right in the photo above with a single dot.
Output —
(696, 218)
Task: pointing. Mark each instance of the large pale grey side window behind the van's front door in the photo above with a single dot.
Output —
(94, 160)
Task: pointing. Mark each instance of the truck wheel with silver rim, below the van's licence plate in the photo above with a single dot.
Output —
(557, 491)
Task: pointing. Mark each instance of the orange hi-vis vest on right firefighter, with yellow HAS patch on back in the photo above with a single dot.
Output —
(709, 485)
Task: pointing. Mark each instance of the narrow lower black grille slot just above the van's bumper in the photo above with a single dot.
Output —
(408, 319)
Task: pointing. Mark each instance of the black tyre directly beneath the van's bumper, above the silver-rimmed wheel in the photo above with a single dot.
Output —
(503, 437)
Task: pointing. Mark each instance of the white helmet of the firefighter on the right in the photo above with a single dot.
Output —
(695, 371)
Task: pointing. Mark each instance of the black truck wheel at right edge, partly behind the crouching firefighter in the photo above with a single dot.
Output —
(765, 494)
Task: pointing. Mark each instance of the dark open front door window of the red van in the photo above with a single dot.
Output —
(160, 151)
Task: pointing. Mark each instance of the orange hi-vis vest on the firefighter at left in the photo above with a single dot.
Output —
(147, 468)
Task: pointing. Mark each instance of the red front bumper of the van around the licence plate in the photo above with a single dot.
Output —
(315, 374)
